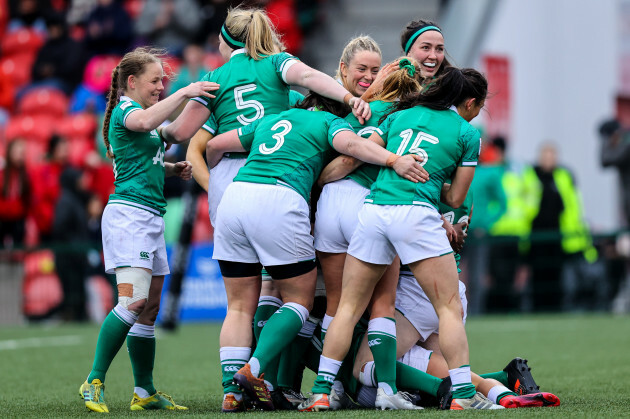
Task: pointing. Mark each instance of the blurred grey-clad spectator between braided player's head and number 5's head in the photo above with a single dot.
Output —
(170, 24)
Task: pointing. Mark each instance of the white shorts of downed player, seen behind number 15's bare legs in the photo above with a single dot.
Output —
(414, 304)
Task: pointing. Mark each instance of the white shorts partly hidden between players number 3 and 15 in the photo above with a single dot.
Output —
(338, 214)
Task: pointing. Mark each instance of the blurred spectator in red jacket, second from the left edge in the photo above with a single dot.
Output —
(45, 186)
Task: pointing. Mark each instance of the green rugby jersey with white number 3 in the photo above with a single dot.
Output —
(290, 148)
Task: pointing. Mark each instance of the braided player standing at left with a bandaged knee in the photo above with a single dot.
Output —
(133, 227)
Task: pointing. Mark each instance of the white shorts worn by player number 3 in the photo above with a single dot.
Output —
(263, 223)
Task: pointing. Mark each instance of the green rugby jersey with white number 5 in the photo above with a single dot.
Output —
(250, 89)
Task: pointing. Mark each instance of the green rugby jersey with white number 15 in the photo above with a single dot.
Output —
(443, 138)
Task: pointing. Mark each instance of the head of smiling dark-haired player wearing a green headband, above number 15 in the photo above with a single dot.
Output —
(423, 41)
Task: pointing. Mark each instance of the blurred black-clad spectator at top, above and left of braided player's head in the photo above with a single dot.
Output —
(109, 29)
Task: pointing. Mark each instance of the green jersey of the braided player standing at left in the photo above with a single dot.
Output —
(138, 162)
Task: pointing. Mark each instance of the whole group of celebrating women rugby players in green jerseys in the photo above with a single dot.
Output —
(392, 152)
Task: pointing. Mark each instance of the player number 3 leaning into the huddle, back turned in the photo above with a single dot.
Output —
(263, 219)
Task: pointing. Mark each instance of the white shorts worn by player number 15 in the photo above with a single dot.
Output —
(414, 232)
